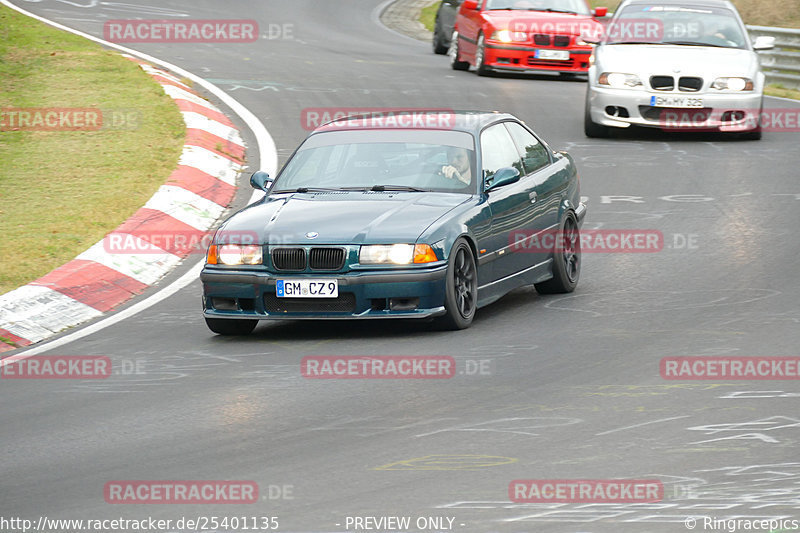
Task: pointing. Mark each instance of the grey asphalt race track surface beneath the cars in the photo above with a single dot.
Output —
(571, 389)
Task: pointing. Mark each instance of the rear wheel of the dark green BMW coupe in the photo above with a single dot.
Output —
(566, 258)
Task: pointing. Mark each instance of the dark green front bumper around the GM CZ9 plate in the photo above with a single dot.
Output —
(251, 294)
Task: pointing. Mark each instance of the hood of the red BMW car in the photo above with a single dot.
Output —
(543, 22)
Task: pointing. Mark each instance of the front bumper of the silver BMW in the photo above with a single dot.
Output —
(719, 112)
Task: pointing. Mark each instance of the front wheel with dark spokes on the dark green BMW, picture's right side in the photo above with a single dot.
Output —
(461, 292)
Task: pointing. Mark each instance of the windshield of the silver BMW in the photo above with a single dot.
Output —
(683, 25)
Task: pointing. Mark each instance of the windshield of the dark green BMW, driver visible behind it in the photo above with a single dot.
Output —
(375, 160)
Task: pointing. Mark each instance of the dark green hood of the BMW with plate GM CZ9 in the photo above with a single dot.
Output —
(342, 217)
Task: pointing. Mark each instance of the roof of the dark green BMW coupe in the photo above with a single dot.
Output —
(417, 119)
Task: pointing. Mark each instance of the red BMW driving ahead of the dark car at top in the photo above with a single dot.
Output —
(525, 36)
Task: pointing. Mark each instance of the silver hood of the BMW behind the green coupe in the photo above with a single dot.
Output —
(646, 60)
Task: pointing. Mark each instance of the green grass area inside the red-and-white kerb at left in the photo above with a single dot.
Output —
(60, 192)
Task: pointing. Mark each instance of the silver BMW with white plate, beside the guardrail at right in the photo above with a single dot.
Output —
(676, 65)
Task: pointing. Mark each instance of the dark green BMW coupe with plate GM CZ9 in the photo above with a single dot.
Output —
(409, 215)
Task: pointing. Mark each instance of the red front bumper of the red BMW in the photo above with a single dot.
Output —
(522, 58)
